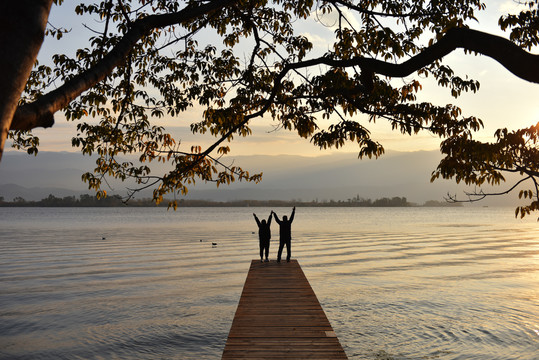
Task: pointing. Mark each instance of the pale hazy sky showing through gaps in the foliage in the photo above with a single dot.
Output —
(502, 101)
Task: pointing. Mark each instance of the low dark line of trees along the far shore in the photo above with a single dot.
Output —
(87, 200)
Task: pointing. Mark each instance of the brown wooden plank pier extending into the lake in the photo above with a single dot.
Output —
(279, 317)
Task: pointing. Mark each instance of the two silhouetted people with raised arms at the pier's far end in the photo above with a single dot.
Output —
(285, 235)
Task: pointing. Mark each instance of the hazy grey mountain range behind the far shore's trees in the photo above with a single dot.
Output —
(337, 176)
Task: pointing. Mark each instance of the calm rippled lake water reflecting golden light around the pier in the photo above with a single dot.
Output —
(144, 283)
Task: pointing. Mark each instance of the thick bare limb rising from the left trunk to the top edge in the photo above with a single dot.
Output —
(40, 112)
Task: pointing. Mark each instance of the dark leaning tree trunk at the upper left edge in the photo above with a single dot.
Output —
(22, 30)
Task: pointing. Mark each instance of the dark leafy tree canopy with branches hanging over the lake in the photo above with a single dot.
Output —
(153, 59)
